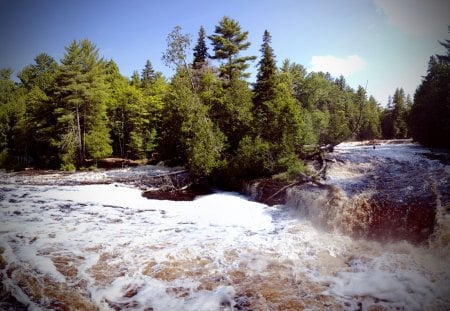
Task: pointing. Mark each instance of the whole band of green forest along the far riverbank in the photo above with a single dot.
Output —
(73, 113)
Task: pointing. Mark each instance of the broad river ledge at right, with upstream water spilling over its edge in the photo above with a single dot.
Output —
(390, 193)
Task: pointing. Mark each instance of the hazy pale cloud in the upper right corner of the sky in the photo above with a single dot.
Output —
(417, 17)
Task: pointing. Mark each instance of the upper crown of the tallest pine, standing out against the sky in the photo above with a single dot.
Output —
(228, 41)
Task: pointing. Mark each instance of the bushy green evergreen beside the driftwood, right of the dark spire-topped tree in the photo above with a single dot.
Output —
(273, 148)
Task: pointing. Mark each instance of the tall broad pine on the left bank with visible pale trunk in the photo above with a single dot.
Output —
(82, 113)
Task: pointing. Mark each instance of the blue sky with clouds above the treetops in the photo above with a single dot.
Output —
(378, 44)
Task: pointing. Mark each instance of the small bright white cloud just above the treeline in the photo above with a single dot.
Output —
(338, 66)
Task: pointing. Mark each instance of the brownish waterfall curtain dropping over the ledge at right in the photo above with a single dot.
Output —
(363, 216)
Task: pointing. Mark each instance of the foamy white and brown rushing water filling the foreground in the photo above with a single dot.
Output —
(89, 247)
